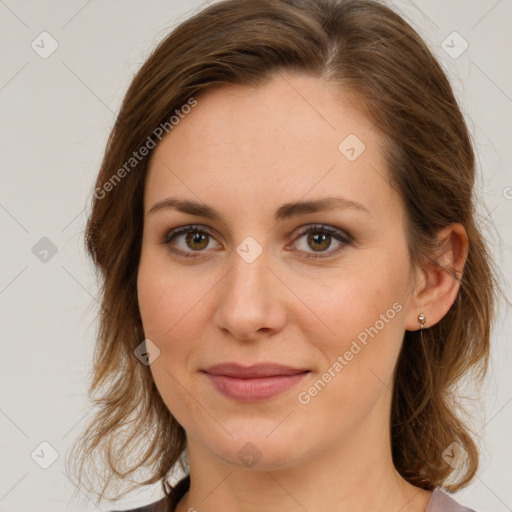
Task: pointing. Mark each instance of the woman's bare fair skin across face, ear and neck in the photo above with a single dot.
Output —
(245, 152)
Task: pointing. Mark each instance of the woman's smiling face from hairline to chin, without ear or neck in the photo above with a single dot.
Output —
(246, 283)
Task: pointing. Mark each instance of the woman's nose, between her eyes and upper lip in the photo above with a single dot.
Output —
(250, 299)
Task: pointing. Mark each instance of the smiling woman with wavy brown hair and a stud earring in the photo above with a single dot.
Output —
(293, 280)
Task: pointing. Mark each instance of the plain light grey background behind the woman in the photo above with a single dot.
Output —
(56, 115)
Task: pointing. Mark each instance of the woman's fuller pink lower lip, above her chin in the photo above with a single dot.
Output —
(254, 390)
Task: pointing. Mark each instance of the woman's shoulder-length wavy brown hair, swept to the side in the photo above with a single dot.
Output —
(367, 50)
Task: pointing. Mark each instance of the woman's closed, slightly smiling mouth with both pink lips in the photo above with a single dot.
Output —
(254, 383)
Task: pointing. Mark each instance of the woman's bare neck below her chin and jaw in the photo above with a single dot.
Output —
(358, 476)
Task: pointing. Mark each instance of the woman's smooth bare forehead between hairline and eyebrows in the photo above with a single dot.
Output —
(293, 136)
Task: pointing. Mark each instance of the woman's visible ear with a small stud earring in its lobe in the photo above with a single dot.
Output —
(438, 283)
